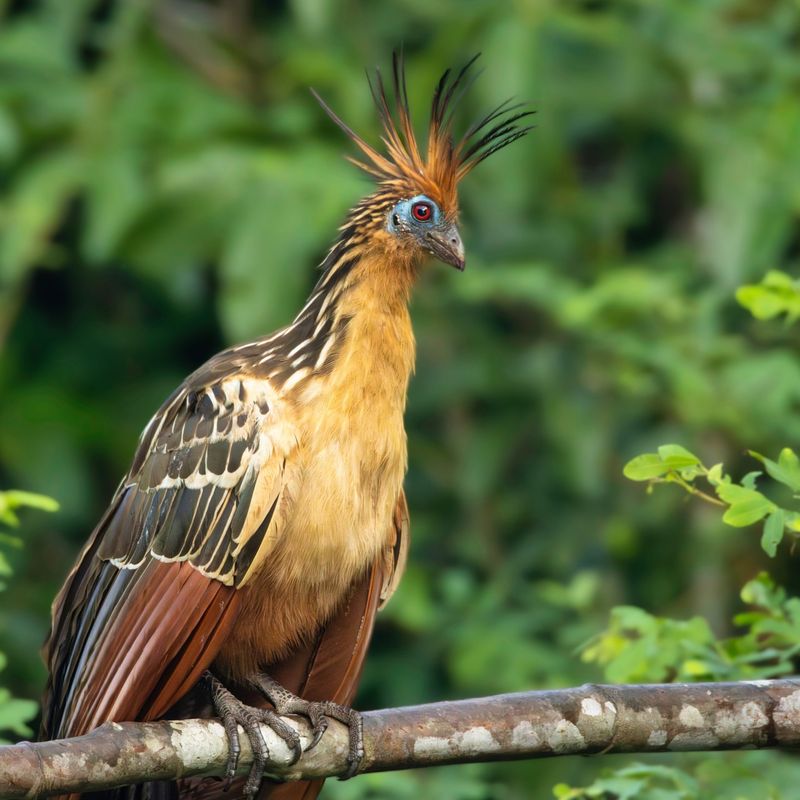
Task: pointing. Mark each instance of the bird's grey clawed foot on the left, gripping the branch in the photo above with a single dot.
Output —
(233, 712)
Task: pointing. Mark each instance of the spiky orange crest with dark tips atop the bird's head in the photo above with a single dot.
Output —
(446, 160)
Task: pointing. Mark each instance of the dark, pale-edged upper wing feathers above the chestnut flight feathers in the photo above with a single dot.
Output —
(211, 471)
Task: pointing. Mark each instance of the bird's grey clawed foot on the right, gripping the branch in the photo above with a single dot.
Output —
(317, 714)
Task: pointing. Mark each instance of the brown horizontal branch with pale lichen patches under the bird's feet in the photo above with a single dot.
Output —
(584, 720)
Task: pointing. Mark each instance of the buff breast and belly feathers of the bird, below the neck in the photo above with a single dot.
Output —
(342, 504)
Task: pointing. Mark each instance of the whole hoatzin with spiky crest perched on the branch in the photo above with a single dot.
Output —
(240, 564)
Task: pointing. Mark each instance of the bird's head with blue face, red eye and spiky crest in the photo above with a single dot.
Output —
(415, 207)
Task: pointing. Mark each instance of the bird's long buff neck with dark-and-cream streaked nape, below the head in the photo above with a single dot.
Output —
(356, 319)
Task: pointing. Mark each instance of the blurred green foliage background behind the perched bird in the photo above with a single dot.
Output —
(166, 185)
